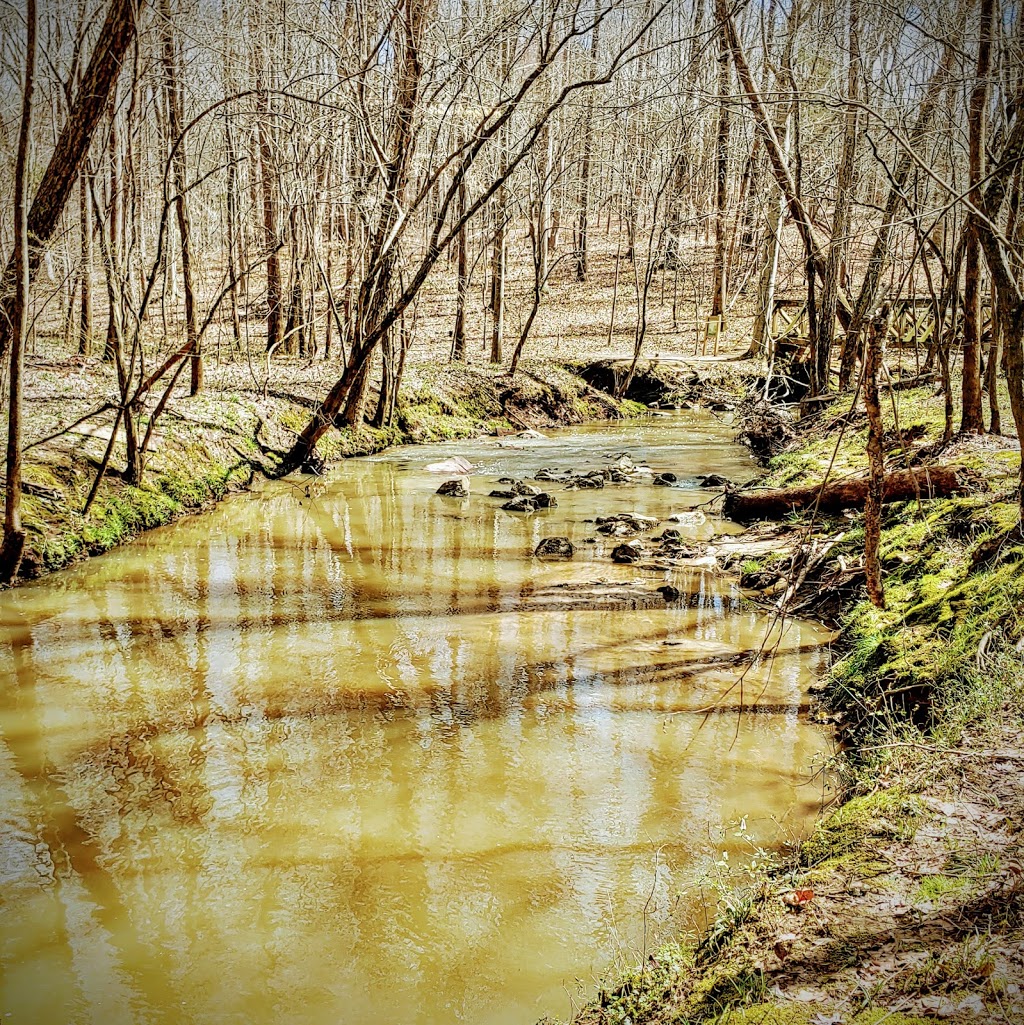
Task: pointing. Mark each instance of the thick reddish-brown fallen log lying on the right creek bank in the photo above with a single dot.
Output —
(900, 486)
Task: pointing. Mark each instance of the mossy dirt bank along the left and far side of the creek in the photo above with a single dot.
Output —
(207, 446)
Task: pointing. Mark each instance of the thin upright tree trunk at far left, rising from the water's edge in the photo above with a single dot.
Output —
(14, 536)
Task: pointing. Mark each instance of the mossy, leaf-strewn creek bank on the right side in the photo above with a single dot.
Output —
(907, 905)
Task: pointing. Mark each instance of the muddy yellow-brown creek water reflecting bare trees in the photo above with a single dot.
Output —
(362, 759)
